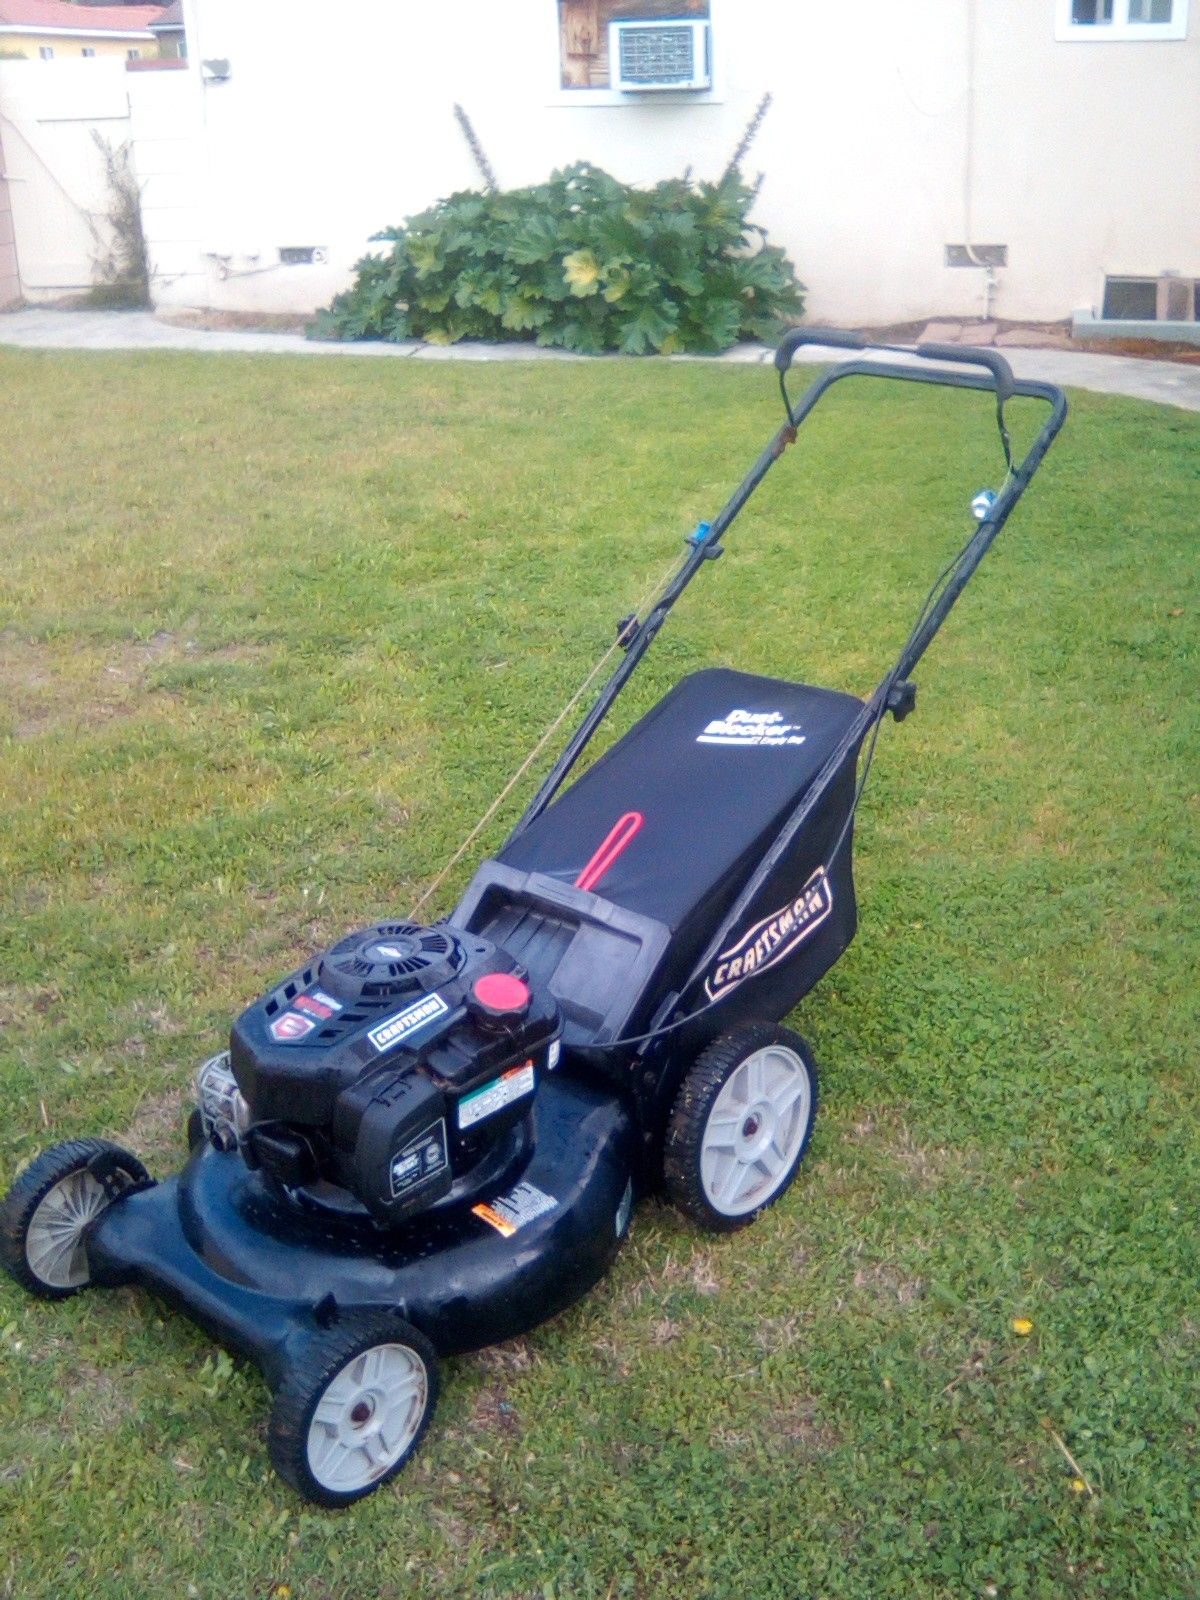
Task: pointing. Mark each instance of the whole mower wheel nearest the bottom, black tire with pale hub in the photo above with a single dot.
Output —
(350, 1372)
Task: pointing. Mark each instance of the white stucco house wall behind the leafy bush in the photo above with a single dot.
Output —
(1084, 159)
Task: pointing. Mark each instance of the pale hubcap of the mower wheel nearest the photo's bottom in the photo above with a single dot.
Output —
(367, 1418)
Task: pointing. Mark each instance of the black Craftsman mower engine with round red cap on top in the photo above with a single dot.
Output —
(399, 1066)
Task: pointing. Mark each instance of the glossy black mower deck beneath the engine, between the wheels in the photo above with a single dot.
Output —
(262, 1274)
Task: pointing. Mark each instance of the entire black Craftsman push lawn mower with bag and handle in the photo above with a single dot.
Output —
(431, 1138)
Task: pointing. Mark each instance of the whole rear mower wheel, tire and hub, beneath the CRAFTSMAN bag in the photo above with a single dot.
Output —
(740, 1126)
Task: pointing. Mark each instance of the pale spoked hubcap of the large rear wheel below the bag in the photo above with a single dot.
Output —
(754, 1132)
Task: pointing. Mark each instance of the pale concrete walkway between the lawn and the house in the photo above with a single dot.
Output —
(1170, 383)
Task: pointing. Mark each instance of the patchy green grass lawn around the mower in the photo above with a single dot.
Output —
(271, 638)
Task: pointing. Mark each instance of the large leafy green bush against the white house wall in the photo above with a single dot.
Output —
(582, 262)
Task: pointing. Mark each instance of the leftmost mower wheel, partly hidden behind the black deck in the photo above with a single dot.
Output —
(50, 1206)
